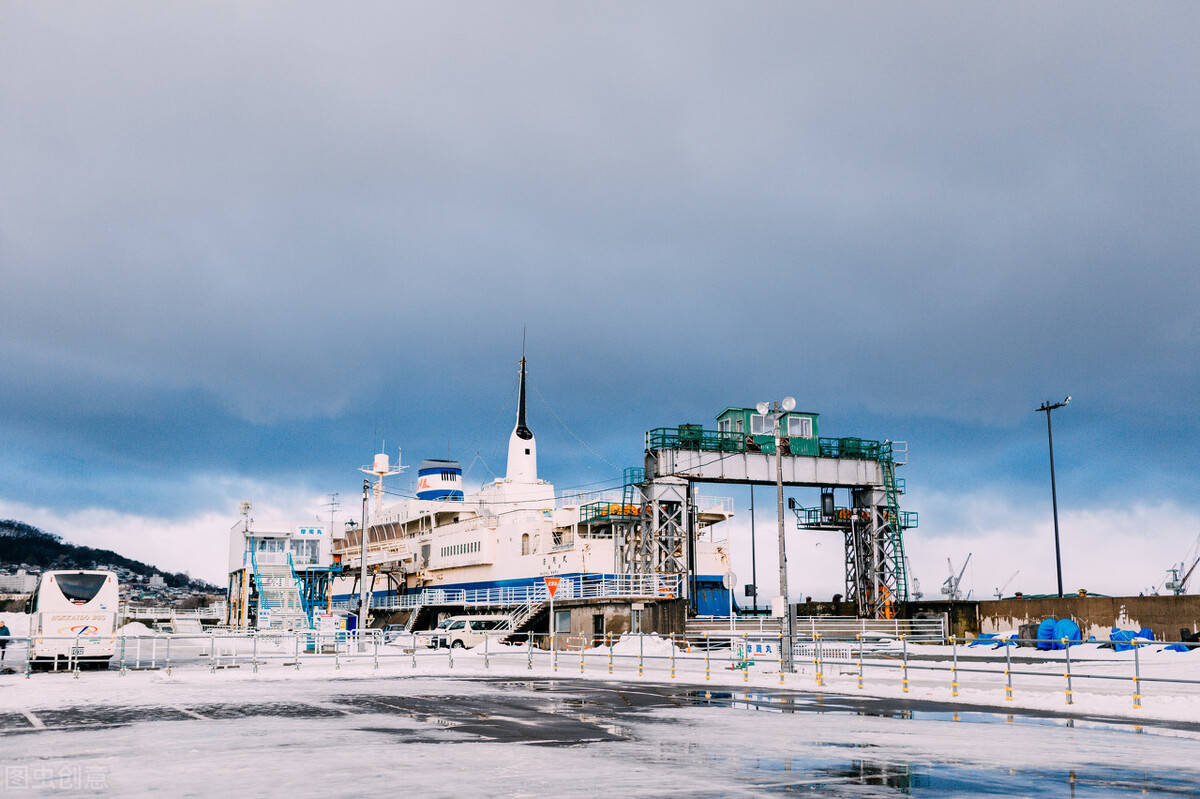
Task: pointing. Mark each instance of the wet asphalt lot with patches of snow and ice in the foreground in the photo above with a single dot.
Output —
(323, 732)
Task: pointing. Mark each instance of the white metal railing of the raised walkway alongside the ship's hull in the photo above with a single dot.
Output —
(656, 587)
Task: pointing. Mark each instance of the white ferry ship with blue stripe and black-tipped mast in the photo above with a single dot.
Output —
(499, 544)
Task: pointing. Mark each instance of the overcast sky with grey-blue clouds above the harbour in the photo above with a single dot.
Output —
(242, 244)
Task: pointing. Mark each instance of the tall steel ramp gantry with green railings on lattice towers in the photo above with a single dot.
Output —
(656, 526)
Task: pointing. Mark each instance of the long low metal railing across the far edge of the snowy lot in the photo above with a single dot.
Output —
(221, 650)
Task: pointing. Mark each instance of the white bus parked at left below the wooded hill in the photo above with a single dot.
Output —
(74, 617)
